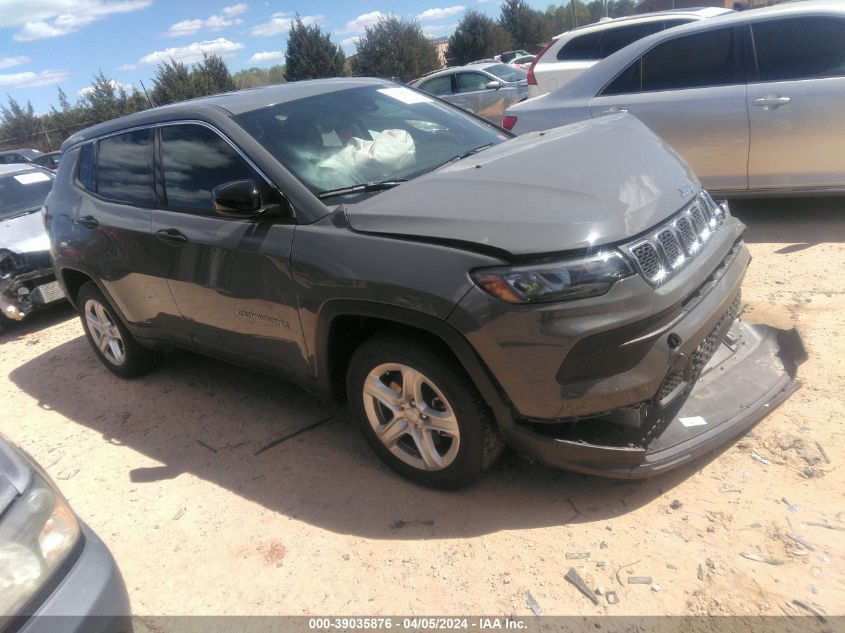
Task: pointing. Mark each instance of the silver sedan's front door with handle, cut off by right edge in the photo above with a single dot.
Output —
(796, 103)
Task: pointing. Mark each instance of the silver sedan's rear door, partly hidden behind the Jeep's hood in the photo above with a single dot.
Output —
(691, 91)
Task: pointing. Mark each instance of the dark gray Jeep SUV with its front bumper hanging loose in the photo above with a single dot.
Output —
(374, 243)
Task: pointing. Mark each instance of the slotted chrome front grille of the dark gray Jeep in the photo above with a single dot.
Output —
(672, 245)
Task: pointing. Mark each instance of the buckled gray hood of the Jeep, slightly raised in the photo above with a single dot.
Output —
(578, 186)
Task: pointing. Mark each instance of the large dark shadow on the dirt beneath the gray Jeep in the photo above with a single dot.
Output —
(209, 418)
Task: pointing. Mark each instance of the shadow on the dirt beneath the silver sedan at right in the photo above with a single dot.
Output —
(798, 222)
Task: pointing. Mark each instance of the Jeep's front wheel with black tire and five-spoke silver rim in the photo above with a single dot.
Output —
(420, 412)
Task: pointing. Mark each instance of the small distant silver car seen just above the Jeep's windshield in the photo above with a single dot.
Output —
(485, 89)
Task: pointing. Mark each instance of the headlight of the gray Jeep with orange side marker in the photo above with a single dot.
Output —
(555, 281)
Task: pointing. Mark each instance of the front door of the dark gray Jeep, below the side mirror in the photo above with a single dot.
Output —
(230, 276)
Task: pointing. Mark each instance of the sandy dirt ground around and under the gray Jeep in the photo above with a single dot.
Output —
(165, 470)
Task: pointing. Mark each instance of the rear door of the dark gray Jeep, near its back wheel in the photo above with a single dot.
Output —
(110, 224)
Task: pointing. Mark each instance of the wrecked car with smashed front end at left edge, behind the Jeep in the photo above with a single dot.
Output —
(27, 282)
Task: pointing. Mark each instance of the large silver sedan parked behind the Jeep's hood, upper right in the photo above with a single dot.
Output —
(754, 101)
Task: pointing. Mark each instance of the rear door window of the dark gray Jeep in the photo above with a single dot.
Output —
(124, 168)
